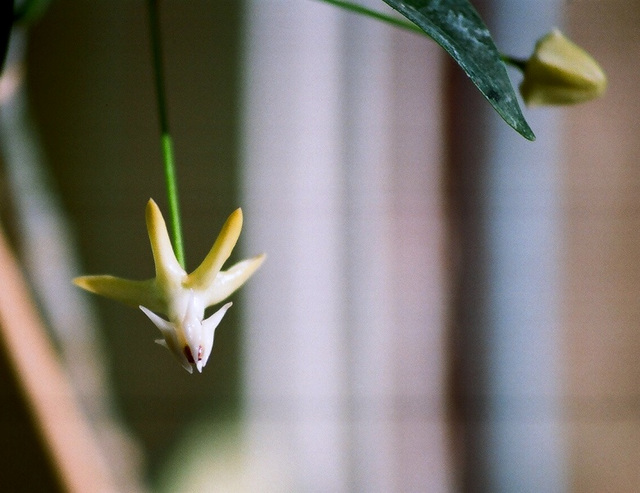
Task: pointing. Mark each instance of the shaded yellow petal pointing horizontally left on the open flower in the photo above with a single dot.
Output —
(133, 293)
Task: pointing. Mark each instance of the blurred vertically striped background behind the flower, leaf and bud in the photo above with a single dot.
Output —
(444, 307)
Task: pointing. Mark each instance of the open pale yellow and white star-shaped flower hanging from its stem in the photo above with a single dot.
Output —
(181, 297)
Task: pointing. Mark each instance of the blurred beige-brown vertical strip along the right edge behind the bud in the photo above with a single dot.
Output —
(602, 300)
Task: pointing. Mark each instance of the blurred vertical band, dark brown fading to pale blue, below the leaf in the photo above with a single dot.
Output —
(506, 223)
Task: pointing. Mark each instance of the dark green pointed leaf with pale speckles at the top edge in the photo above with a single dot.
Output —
(456, 26)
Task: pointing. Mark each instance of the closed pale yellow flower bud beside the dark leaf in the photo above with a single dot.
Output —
(560, 72)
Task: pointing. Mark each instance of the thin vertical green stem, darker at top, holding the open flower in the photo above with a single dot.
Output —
(166, 141)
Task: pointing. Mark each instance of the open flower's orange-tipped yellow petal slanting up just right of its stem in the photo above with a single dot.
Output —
(206, 273)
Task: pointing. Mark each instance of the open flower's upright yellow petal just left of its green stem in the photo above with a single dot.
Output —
(167, 266)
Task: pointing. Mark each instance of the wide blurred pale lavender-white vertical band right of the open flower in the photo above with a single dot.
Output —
(343, 172)
